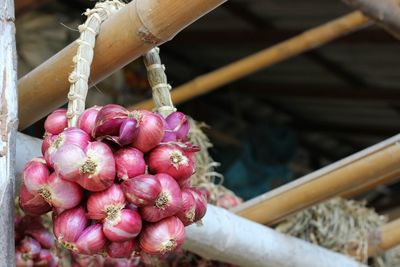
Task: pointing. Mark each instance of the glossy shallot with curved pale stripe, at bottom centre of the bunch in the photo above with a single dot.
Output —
(123, 227)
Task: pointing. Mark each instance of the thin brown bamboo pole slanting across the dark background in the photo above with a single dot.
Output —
(308, 40)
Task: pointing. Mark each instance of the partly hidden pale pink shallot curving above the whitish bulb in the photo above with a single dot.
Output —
(71, 136)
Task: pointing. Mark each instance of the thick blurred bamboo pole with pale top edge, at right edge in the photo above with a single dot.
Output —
(362, 168)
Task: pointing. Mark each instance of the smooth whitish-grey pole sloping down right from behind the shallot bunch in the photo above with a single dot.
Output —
(227, 237)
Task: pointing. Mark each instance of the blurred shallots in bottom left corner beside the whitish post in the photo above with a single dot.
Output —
(34, 243)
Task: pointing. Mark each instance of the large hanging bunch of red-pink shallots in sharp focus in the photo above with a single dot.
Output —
(118, 183)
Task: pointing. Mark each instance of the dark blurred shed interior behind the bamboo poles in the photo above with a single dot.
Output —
(272, 126)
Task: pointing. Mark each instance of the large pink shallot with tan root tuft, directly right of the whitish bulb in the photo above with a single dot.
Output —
(98, 172)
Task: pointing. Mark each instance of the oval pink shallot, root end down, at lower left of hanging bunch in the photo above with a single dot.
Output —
(68, 226)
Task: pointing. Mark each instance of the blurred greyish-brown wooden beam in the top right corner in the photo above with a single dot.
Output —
(386, 13)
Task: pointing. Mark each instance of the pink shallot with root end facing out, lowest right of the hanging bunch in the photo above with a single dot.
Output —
(163, 236)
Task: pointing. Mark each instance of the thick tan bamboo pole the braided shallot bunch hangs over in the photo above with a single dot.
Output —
(134, 30)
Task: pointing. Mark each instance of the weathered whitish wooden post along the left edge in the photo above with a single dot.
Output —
(8, 129)
